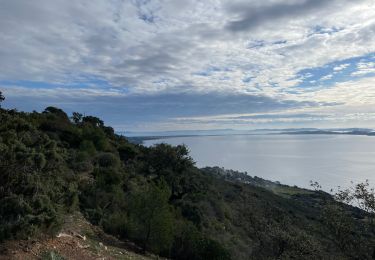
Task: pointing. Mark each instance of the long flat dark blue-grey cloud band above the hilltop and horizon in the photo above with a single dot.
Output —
(145, 108)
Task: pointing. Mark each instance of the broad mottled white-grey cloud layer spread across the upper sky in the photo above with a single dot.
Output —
(59, 40)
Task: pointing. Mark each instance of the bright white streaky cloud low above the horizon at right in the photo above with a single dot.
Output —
(348, 104)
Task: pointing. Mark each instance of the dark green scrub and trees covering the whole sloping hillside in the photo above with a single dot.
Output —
(52, 165)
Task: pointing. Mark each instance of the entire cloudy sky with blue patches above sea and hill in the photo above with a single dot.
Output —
(157, 65)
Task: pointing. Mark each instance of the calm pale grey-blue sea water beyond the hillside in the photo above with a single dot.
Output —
(332, 160)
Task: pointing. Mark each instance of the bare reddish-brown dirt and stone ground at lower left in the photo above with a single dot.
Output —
(78, 239)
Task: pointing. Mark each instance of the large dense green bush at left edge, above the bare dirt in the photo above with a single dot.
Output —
(36, 186)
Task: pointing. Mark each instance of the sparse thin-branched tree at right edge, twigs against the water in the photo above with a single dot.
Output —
(340, 222)
